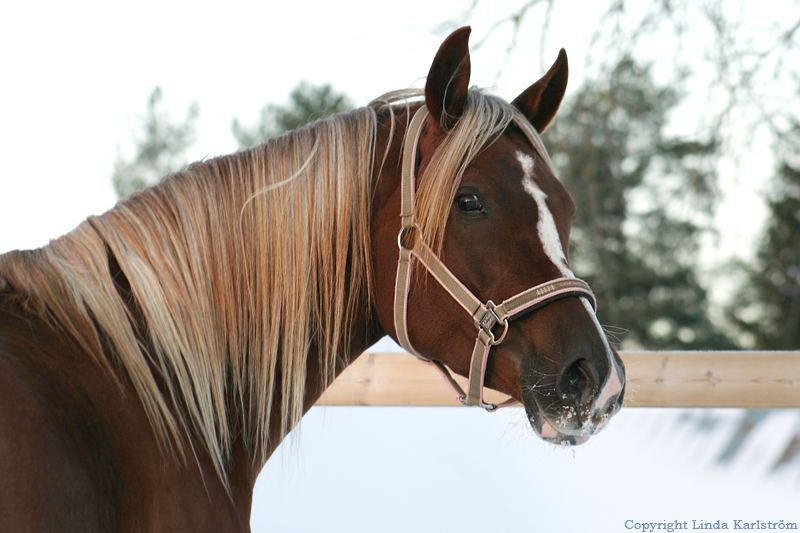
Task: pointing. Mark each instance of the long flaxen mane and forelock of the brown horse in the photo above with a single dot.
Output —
(209, 290)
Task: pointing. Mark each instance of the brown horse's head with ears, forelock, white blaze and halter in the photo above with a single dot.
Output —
(501, 235)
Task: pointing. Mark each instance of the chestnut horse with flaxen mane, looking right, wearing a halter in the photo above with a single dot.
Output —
(152, 359)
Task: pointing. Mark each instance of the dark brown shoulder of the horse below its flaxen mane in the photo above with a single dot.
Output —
(77, 452)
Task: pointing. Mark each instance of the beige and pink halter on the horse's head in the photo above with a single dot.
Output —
(490, 319)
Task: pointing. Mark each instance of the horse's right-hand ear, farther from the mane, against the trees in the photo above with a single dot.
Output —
(540, 101)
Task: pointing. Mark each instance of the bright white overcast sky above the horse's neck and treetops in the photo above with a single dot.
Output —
(77, 75)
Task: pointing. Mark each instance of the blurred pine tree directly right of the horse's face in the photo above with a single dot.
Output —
(629, 182)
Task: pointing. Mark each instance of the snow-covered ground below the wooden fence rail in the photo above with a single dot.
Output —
(424, 469)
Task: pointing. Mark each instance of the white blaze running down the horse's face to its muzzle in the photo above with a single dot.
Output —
(551, 242)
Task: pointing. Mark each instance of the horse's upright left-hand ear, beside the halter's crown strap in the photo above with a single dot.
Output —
(448, 79)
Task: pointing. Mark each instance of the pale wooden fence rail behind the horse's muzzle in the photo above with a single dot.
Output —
(654, 379)
